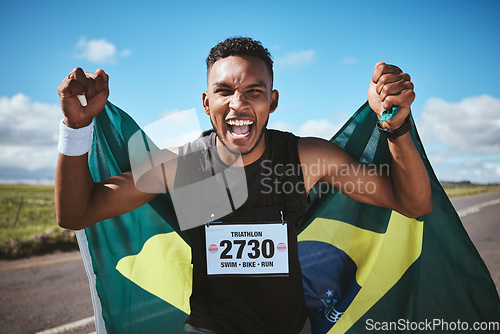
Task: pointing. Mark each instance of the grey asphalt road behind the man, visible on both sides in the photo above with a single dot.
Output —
(45, 293)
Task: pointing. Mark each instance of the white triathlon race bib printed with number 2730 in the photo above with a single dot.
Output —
(247, 249)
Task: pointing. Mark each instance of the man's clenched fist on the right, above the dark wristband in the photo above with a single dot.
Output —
(390, 87)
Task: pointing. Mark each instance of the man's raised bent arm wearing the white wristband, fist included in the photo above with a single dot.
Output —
(79, 201)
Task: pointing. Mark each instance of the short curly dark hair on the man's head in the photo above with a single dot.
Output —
(240, 46)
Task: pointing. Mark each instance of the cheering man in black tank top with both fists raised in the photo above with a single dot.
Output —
(238, 100)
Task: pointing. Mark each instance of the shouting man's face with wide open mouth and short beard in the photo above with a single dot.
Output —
(239, 99)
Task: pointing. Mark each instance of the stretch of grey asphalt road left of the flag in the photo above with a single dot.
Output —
(43, 292)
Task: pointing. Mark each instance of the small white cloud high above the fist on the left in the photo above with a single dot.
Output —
(99, 51)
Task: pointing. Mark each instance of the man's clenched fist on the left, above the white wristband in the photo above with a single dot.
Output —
(95, 88)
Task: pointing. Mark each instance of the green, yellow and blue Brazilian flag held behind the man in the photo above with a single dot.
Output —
(365, 268)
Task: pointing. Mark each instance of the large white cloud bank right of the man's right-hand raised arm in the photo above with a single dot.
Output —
(462, 139)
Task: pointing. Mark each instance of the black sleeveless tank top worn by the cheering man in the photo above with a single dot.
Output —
(242, 304)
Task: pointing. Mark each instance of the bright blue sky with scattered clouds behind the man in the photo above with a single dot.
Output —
(324, 54)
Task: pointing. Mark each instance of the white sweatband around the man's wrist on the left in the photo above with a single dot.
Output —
(75, 142)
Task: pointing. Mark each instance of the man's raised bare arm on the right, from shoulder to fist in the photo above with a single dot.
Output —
(406, 188)
